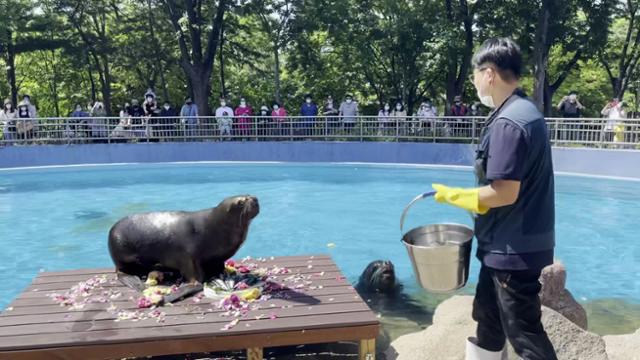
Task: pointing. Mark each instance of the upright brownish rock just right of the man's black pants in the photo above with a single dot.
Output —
(554, 295)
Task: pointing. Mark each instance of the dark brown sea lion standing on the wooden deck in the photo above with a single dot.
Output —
(195, 244)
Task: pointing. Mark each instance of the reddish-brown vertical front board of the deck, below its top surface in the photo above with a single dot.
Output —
(195, 345)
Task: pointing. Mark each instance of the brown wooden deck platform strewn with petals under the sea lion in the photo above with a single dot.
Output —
(323, 308)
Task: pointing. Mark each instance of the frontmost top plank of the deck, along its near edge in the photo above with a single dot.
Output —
(168, 333)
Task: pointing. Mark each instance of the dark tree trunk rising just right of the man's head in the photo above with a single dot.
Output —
(541, 56)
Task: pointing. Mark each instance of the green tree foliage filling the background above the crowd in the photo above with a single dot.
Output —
(77, 51)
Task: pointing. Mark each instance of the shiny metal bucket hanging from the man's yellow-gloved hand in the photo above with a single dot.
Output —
(440, 253)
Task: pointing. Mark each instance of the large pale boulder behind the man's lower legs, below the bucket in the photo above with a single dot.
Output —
(452, 324)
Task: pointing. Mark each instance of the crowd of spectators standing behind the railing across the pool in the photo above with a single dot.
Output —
(157, 121)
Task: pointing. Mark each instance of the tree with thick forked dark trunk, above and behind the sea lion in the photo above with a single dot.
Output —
(196, 57)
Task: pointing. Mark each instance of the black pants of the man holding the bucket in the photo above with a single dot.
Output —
(507, 306)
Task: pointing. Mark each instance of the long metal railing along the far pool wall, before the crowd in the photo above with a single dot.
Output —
(562, 131)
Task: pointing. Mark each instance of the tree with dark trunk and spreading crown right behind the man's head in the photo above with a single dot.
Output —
(576, 28)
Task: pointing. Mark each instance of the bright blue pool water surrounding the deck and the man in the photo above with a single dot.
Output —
(54, 219)
